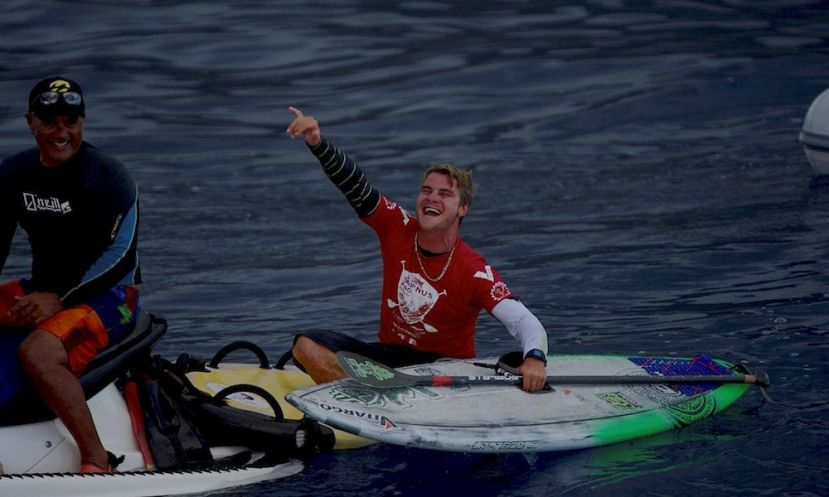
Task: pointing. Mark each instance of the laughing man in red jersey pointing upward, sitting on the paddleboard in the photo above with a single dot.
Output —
(434, 284)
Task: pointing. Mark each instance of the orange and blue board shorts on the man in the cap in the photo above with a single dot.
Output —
(84, 329)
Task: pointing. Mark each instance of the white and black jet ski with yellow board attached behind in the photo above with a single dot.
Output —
(173, 427)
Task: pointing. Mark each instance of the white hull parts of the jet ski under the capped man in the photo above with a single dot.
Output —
(42, 459)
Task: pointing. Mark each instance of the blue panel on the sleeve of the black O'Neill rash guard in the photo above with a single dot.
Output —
(122, 249)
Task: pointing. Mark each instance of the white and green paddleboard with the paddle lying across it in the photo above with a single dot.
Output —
(461, 406)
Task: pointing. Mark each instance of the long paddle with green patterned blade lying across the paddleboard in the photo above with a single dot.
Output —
(377, 375)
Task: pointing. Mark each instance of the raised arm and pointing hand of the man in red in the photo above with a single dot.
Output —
(340, 168)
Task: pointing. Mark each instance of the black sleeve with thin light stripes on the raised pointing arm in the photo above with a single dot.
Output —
(348, 177)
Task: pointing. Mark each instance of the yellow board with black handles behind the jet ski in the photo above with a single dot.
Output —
(278, 382)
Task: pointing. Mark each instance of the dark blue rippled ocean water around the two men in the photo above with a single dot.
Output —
(641, 188)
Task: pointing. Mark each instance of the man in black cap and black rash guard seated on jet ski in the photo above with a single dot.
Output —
(79, 208)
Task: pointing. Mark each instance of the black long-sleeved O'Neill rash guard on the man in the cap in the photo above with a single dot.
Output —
(81, 218)
